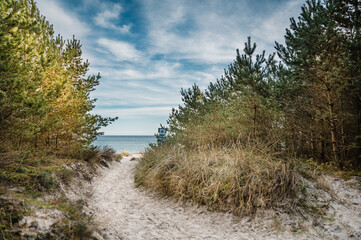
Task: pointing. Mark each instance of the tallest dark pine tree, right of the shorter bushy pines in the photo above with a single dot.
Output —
(317, 54)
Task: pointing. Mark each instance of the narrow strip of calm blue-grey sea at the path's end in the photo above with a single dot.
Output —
(132, 144)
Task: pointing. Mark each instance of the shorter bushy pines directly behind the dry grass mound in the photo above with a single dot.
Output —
(239, 107)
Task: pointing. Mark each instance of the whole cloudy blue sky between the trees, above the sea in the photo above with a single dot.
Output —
(147, 50)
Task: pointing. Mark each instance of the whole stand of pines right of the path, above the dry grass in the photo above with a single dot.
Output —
(308, 105)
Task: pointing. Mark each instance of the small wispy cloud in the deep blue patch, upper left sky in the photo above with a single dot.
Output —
(110, 15)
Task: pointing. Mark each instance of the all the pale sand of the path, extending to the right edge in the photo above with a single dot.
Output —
(125, 212)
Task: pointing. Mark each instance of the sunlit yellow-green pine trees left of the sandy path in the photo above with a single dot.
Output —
(44, 91)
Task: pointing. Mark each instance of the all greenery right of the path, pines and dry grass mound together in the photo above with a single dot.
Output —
(225, 143)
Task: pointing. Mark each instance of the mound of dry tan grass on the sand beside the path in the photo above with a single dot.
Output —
(237, 180)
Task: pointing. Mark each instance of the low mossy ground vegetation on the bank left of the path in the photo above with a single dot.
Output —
(31, 182)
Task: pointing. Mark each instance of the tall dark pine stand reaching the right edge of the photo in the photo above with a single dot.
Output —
(321, 49)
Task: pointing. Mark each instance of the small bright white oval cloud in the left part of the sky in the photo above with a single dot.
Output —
(120, 50)
